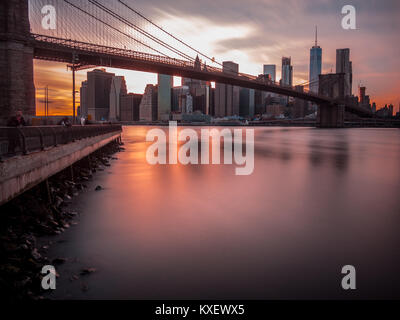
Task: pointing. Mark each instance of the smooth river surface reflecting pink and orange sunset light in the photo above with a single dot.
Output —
(317, 200)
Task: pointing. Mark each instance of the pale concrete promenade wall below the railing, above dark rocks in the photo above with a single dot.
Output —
(19, 174)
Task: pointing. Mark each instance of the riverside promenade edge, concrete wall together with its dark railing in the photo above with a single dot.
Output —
(30, 155)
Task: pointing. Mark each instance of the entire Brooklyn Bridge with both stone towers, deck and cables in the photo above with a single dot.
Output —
(114, 34)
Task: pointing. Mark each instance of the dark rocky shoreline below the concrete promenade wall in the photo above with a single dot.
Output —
(41, 211)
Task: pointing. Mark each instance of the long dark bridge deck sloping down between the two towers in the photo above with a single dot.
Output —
(65, 50)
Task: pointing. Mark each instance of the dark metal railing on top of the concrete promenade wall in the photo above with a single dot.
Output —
(23, 140)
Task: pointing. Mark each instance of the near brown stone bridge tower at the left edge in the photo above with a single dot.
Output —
(17, 90)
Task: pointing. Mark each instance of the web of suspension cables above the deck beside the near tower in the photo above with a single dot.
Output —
(113, 24)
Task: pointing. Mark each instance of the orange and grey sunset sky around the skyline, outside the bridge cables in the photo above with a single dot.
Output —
(257, 32)
